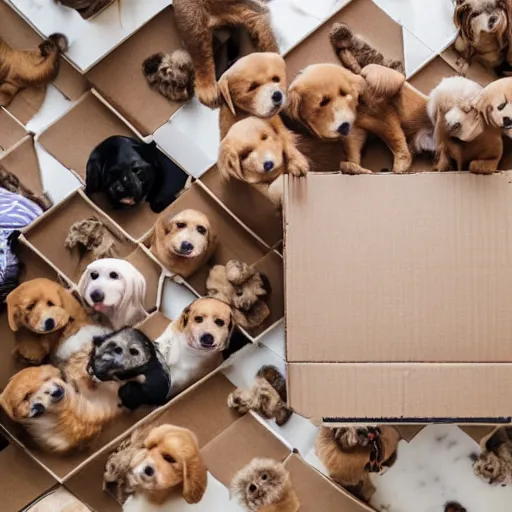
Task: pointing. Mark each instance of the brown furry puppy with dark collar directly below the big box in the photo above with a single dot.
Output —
(345, 453)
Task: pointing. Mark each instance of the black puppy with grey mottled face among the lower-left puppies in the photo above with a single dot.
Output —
(129, 355)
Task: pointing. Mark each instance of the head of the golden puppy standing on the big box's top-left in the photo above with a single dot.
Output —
(324, 98)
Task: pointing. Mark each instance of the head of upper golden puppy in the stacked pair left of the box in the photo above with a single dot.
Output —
(255, 84)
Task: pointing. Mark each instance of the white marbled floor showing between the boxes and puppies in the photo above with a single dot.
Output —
(435, 467)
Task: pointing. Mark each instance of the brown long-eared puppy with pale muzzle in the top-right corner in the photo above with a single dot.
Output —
(484, 31)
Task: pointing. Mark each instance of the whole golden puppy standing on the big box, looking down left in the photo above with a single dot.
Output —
(335, 104)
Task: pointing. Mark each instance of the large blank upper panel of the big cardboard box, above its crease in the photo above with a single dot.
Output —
(419, 273)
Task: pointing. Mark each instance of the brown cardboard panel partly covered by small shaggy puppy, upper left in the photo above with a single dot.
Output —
(119, 78)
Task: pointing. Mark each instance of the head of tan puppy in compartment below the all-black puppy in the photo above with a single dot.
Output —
(187, 235)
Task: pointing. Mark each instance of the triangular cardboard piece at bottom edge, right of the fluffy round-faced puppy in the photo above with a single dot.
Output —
(316, 493)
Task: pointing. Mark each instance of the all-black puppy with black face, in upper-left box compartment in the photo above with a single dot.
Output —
(128, 171)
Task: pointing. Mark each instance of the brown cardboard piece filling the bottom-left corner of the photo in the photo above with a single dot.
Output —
(21, 479)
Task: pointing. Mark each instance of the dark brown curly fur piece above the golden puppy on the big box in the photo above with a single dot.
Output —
(355, 54)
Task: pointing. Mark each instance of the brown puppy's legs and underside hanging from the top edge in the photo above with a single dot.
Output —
(197, 20)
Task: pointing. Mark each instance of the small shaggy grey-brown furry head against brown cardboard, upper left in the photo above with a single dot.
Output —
(170, 74)
